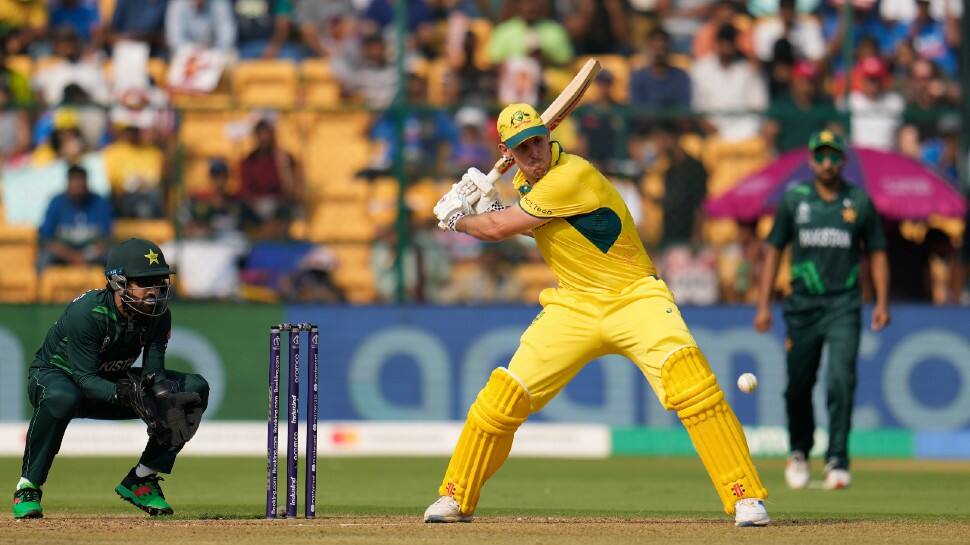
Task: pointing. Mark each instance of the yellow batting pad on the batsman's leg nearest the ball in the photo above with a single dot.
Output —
(692, 390)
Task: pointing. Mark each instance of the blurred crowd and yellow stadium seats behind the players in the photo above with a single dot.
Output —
(265, 143)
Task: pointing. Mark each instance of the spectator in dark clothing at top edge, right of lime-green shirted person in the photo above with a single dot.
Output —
(597, 27)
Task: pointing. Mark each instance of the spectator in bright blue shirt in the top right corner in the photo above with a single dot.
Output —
(933, 40)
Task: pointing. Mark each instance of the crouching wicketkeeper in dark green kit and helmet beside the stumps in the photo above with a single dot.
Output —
(84, 370)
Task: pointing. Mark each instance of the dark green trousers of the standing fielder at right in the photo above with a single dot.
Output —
(809, 329)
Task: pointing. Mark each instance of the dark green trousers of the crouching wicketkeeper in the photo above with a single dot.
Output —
(57, 400)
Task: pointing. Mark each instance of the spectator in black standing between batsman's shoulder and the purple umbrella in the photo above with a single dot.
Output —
(685, 187)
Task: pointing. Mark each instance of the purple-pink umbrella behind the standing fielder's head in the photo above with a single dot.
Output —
(900, 188)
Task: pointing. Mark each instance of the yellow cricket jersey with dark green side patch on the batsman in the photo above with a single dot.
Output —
(592, 244)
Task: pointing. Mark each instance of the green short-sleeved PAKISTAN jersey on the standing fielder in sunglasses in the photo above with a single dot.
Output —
(826, 238)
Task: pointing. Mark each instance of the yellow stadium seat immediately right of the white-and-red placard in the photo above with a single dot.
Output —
(266, 83)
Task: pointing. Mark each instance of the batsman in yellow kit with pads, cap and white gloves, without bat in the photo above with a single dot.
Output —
(609, 301)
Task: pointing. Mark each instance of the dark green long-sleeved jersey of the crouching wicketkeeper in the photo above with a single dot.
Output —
(95, 344)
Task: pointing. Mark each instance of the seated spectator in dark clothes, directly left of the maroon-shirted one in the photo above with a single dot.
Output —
(215, 213)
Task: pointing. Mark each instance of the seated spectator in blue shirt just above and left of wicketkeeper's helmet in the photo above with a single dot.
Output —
(77, 225)
